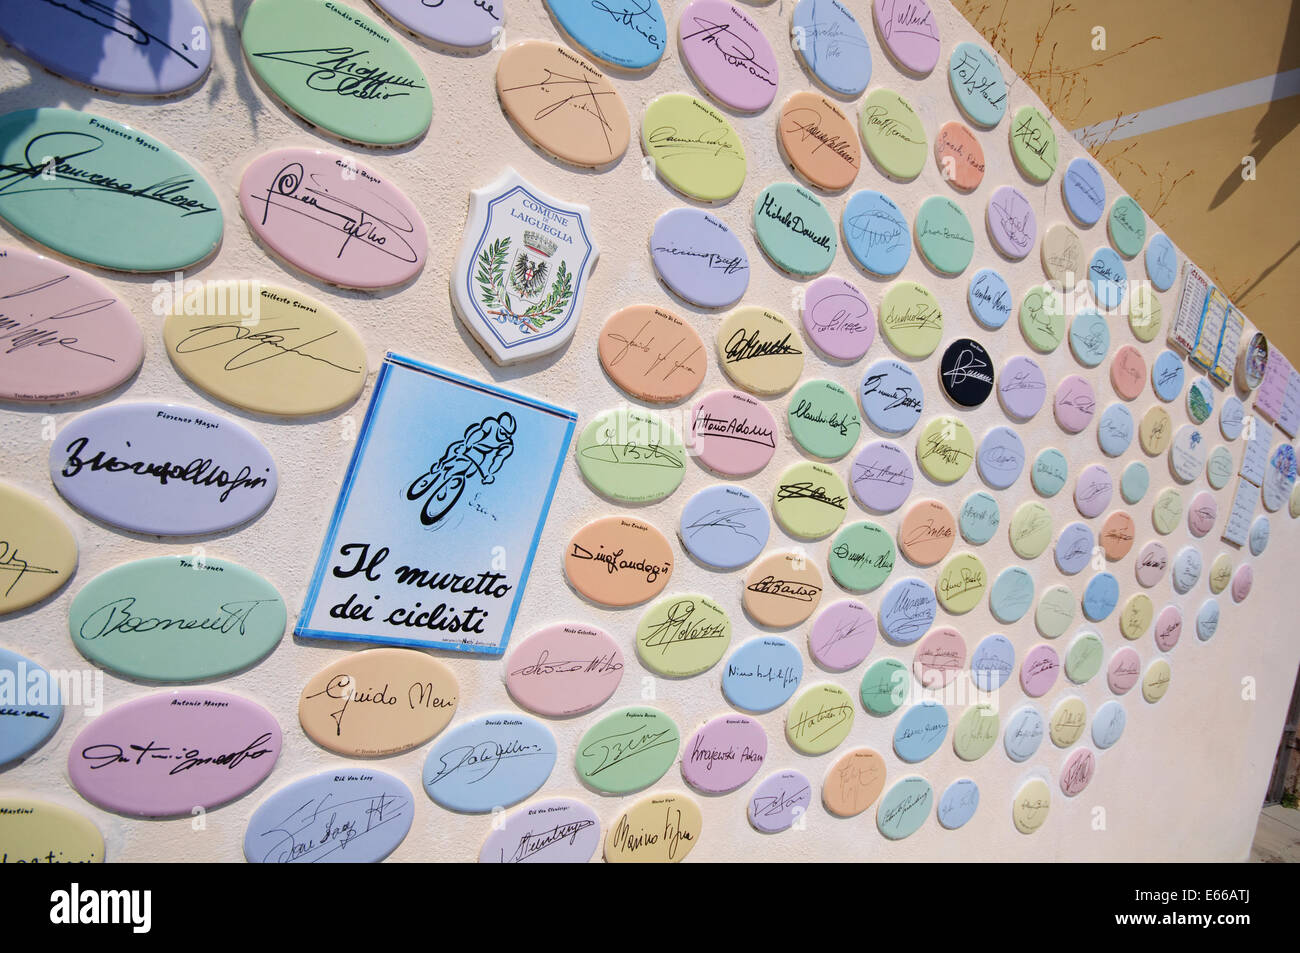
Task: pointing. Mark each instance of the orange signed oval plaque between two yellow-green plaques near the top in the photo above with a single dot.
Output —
(820, 141)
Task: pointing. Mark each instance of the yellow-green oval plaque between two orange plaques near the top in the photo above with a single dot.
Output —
(695, 149)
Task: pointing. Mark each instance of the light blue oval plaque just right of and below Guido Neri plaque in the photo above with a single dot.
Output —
(492, 761)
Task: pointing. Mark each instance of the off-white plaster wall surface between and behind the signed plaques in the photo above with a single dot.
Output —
(1185, 782)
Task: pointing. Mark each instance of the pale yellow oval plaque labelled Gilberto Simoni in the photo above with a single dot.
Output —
(291, 356)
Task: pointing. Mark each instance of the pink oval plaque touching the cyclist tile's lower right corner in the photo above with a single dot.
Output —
(565, 670)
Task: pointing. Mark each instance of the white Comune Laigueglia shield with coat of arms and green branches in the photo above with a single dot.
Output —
(523, 270)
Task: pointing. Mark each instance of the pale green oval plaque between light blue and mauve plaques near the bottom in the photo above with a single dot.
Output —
(627, 751)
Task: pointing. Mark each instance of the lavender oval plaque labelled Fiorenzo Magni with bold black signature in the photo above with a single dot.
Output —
(166, 470)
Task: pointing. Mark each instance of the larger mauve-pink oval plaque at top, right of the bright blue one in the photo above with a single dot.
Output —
(729, 55)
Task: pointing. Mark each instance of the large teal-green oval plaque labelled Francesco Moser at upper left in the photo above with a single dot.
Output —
(111, 196)
